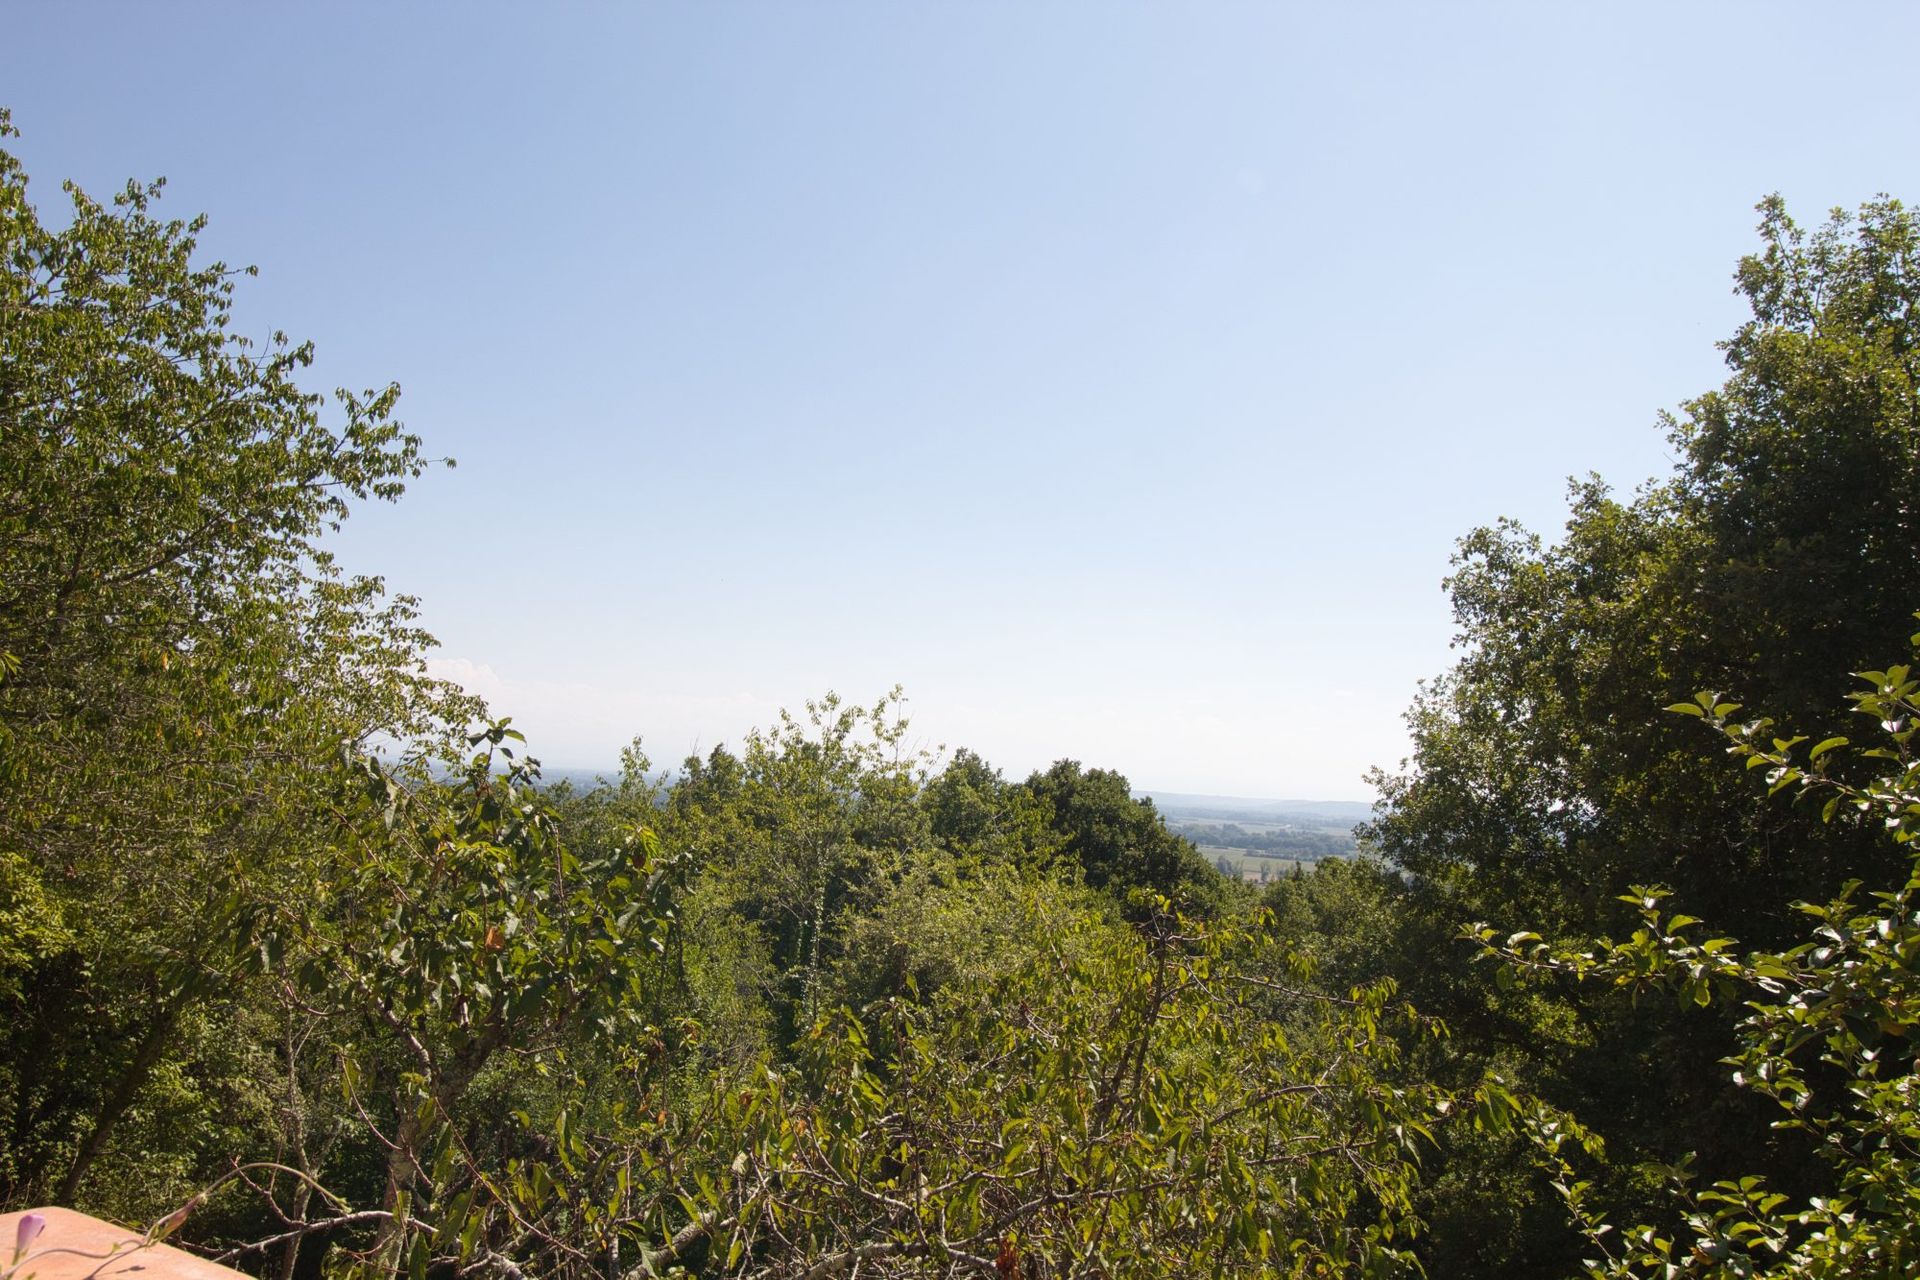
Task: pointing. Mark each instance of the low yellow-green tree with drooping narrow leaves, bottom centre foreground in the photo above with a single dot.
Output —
(1118, 1102)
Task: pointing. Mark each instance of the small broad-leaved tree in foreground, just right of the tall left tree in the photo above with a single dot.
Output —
(454, 928)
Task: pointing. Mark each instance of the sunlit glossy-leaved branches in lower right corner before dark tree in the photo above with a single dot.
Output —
(1829, 1035)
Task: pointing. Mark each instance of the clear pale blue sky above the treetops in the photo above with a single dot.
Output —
(1115, 377)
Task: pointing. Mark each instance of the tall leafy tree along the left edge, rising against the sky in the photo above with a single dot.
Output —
(181, 657)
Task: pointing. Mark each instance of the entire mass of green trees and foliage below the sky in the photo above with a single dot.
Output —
(302, 964)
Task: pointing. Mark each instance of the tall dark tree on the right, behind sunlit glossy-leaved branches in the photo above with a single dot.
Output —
(1545, 782)
